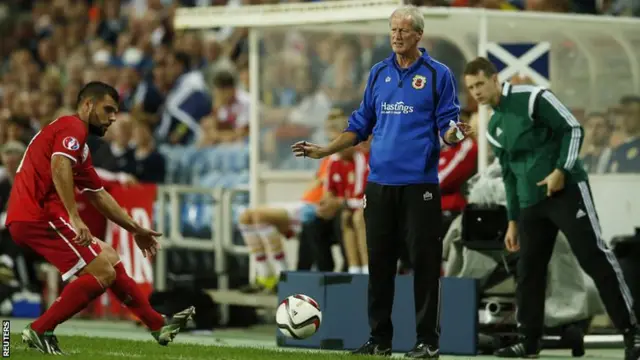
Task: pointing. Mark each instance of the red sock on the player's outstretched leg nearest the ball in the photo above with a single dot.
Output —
(127, 291)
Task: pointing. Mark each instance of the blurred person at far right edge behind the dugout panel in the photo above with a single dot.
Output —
(626, 157)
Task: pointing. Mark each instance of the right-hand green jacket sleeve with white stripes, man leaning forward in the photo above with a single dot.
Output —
(552, 112)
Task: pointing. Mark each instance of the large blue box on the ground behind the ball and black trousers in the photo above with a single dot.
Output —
(345, 324)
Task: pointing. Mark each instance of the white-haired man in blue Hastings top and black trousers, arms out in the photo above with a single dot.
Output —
(409, 103)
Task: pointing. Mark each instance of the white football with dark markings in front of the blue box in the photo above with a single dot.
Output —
(298, 316)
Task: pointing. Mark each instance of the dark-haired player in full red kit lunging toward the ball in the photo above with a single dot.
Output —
(42, 214)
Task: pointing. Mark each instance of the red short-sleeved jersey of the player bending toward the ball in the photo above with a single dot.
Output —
(33, 196)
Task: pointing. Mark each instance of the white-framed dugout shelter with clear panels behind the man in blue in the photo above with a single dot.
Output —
(299, 65)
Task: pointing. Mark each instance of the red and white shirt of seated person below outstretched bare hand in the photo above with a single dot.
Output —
(347, 178)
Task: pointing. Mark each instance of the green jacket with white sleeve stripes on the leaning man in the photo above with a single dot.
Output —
(532, 133)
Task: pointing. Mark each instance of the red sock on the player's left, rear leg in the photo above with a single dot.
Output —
(75, 296)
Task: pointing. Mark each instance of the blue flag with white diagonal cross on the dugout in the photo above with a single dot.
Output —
(524, 59)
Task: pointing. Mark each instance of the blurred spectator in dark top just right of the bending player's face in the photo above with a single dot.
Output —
(149, 164)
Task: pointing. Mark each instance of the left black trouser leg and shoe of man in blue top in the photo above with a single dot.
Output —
(380, 209)
